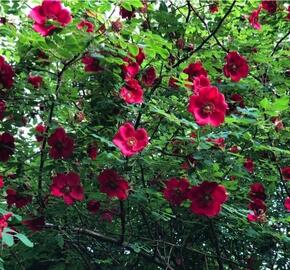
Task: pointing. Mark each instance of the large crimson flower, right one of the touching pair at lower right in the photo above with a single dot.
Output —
(207, 198)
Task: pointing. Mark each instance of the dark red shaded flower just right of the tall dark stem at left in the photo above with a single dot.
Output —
(61, 144)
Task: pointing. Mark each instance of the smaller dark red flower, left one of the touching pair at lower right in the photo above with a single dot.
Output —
(176, 190)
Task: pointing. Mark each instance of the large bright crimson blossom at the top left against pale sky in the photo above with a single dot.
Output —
(49, 10)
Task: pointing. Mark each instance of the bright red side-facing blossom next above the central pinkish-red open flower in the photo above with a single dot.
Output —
(132, 92)
